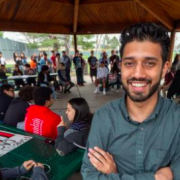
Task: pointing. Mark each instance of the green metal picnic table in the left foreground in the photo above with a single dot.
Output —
(61, 167)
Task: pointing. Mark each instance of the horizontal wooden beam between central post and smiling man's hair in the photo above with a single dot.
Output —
(102, 28)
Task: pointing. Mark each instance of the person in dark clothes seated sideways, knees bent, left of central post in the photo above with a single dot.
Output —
(63, 79)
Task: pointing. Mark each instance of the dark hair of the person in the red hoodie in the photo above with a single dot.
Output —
(41, 95)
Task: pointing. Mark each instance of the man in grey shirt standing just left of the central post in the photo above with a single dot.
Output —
(67, 61)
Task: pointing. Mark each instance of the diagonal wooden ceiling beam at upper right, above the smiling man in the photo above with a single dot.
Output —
(156, 11)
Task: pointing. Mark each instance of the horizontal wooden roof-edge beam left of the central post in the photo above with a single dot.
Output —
(34, 27)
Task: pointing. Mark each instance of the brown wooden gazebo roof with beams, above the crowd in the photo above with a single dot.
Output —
(85, 16)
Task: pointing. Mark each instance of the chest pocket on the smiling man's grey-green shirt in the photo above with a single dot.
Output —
(156, 159)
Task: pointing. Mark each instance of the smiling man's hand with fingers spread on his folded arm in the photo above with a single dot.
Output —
(102, 161)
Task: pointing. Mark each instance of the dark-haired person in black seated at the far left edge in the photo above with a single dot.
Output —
(6, 96)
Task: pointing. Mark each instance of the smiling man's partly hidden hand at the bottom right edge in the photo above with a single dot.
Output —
(164, 174)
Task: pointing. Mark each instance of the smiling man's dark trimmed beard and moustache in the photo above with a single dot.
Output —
(139, 96)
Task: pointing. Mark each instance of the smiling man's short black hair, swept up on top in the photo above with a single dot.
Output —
(146, 32)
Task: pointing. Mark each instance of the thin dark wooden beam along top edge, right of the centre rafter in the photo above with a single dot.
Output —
(95, 2)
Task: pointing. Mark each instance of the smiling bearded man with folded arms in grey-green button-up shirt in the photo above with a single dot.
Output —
(137, 137)
